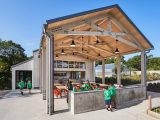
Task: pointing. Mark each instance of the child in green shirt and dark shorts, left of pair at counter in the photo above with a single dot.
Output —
(107, 98)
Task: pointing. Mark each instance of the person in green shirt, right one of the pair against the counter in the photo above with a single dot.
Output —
(112, 89)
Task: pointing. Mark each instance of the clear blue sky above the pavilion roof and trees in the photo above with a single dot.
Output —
(22, 20)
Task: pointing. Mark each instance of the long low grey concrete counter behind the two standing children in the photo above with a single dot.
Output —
(80, 102)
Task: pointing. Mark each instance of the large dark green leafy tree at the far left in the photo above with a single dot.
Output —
(10, 54)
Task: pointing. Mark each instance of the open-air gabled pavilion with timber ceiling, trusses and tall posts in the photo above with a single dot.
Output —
(88, 37)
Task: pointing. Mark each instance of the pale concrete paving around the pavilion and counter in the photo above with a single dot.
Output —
(13, 106)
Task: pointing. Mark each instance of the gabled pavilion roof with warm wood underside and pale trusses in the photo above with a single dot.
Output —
(105, 25)
